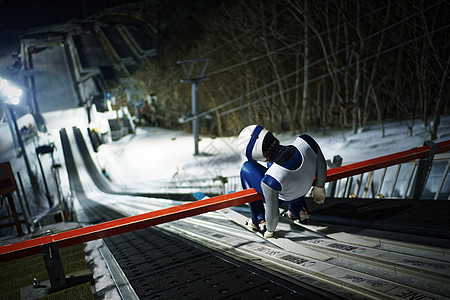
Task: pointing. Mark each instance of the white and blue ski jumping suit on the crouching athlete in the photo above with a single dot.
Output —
(286, 181)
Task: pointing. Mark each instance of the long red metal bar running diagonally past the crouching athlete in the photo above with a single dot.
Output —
(132, 223)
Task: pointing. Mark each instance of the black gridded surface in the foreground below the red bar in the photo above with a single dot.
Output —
(160, 266)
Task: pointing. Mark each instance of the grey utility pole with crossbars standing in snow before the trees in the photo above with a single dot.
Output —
(197, 66)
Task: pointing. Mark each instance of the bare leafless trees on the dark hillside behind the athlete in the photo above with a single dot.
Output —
(300, 65)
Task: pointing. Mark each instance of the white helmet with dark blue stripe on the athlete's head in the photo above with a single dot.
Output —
(250, 142)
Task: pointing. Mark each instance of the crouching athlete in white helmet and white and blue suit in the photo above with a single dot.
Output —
(288, 178)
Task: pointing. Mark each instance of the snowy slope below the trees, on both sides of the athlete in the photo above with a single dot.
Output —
(157, 154)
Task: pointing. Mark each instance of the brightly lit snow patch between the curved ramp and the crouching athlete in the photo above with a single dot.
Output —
(161, 154)
